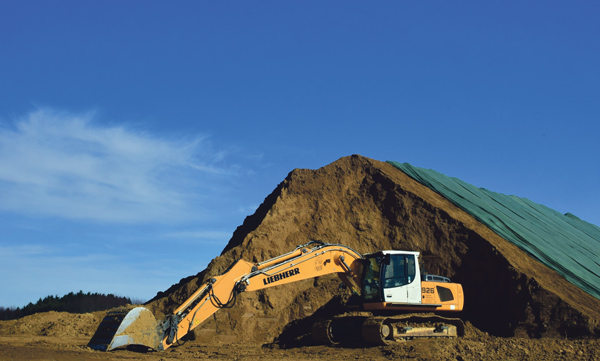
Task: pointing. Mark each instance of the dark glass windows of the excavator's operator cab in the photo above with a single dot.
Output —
(385, 271)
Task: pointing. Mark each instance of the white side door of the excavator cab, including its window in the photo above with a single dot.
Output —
(401, 282)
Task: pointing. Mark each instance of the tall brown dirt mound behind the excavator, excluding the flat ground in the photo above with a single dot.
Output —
(370, 205)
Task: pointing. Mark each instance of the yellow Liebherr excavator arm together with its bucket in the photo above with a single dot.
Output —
(313, 259)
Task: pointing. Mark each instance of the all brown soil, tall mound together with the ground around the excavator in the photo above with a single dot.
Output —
(515, 308)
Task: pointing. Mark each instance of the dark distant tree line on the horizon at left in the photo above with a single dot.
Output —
(72, 302)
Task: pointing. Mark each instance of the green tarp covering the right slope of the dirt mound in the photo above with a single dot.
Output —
(562, 242)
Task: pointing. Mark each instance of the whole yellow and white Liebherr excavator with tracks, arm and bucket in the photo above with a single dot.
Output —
(396, 300)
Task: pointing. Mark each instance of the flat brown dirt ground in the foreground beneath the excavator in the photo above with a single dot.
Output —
(474, 346)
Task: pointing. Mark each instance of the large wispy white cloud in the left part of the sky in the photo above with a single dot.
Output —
(65, 165)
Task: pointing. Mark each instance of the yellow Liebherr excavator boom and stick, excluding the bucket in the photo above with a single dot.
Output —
(307, 261)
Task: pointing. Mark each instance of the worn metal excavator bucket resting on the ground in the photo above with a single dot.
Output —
(124, 328)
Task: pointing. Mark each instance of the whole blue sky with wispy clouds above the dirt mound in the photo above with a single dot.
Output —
(136, 136)
